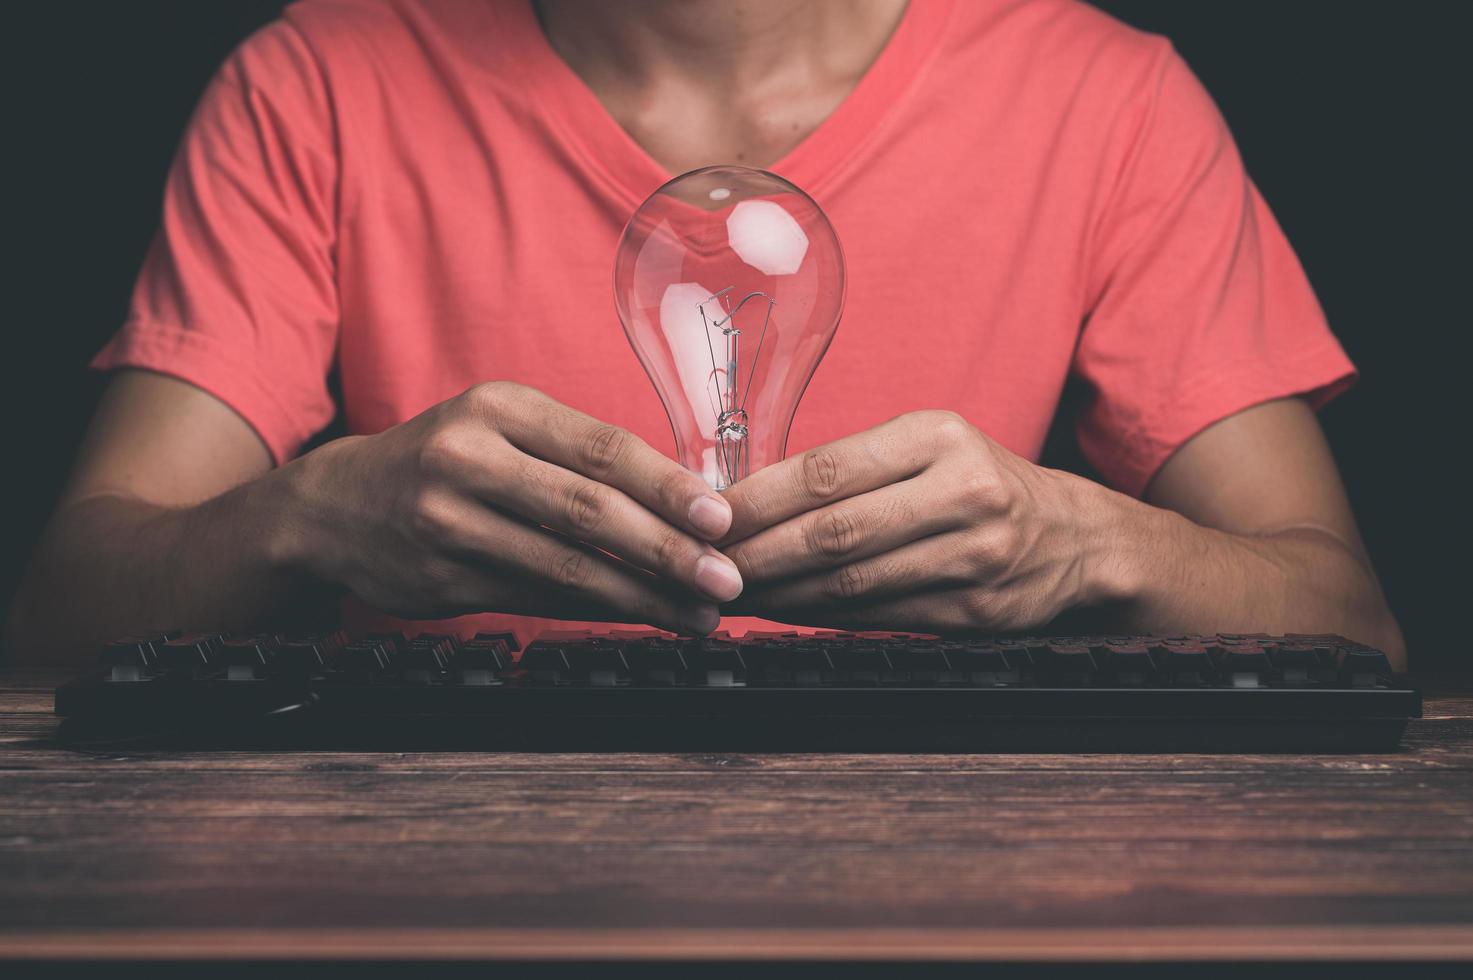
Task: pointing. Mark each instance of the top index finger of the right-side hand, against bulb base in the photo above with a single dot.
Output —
(867, 461)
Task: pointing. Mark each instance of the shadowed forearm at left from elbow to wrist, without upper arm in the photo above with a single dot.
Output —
(114, 565)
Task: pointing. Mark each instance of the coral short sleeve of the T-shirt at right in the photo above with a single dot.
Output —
(1198, 307)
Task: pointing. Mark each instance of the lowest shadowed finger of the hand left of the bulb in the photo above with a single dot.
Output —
(569, 574)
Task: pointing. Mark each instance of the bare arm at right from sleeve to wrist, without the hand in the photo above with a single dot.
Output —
(1250, 528)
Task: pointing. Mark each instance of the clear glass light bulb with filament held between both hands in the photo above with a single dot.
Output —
(730, 284)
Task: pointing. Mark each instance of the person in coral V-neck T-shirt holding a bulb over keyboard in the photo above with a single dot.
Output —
(423, 197)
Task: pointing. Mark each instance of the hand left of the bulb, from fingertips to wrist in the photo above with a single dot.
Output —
(505, 500)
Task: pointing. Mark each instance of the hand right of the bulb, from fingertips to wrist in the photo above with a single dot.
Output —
(918, 524)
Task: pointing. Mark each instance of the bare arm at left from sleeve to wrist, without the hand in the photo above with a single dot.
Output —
(166, 522)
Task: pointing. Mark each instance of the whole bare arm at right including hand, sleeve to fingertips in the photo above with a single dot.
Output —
(927, 524)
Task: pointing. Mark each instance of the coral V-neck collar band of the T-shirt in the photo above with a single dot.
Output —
(584, 126)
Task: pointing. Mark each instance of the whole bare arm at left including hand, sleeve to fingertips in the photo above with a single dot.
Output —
(497, 500)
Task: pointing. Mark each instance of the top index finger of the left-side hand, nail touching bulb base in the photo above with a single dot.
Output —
(550, 431)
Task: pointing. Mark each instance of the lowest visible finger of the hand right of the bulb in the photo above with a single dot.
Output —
(918, 567)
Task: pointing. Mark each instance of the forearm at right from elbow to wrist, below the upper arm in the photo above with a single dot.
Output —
(1157, 571)
